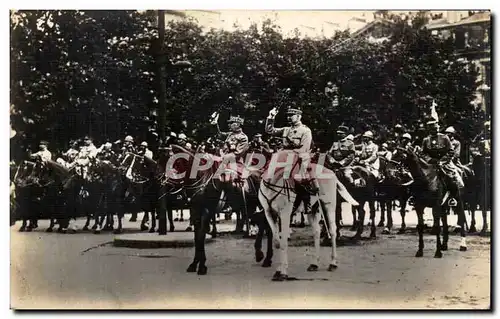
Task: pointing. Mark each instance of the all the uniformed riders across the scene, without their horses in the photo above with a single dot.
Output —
(348, 152)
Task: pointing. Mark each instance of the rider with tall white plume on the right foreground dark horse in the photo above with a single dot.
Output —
(437, 149)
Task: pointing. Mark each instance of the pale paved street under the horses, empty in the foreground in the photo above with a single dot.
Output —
(51, 270)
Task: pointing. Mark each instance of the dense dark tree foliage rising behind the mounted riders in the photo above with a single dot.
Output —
(92, 72)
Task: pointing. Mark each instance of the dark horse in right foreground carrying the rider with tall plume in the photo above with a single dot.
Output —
(428, 190)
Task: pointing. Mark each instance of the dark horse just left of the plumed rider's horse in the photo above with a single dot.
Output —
(393, 187)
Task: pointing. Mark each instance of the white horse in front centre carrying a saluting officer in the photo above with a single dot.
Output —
(277, 194)
